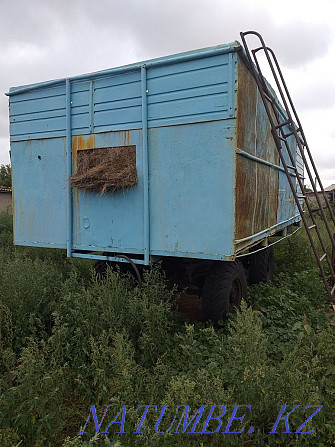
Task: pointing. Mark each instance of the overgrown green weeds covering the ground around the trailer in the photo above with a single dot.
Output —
(68, 340)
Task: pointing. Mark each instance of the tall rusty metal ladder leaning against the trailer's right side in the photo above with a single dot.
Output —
(281, 135)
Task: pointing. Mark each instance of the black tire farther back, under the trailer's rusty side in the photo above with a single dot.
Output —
(261, 266)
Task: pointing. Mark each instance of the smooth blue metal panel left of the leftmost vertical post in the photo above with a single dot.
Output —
(40, 185)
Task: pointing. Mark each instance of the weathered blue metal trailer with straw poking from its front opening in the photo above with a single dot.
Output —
(210, 184)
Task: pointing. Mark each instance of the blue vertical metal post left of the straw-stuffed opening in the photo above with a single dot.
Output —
(68, 168)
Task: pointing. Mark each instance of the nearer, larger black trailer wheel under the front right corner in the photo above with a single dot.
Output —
(224, 287)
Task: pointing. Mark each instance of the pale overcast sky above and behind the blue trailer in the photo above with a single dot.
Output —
(48, 39)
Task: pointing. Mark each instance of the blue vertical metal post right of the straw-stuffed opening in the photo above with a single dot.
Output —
(146, 211)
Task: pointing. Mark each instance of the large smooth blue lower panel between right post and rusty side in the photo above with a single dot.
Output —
(192, 189)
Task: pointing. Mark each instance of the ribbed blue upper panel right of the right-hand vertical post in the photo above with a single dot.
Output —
(188, 92)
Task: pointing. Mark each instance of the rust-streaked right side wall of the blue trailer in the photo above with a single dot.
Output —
(262, 193)
